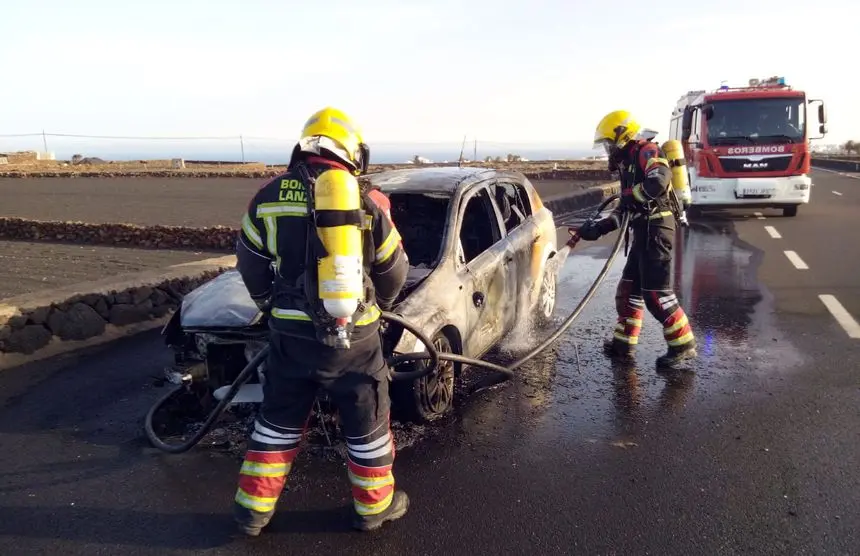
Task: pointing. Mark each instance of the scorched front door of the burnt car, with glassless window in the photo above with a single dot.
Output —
(485, 259)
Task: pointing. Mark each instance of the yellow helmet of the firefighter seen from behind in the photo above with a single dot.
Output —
(330, 132)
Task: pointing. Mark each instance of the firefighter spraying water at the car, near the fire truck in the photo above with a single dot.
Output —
(646, 280)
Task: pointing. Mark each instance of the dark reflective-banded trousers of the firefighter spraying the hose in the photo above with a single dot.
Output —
(646, 282)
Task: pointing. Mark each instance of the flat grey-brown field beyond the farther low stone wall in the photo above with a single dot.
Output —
(194, 202)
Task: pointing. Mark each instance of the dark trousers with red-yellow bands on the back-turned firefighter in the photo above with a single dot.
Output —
(358, 384)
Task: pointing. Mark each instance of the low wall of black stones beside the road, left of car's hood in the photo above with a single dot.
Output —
(86, 316)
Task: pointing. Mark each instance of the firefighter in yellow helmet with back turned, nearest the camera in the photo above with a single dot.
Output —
(278, 250)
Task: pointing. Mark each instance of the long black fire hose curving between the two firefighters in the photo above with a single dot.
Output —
(432, 354)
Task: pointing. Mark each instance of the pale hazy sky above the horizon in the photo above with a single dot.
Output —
(539, 72)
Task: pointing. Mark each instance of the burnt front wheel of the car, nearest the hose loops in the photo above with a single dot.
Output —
(429, 397)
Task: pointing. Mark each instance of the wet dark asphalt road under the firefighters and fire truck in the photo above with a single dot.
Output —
(755, 452)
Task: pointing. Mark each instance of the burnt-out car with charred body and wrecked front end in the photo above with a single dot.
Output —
(478, 243)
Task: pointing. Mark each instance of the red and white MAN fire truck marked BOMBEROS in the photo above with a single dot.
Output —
(747, 147)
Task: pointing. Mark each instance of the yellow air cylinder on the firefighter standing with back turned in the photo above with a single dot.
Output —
(337, 202)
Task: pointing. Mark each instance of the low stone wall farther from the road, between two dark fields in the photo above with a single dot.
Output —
(218, 238)
